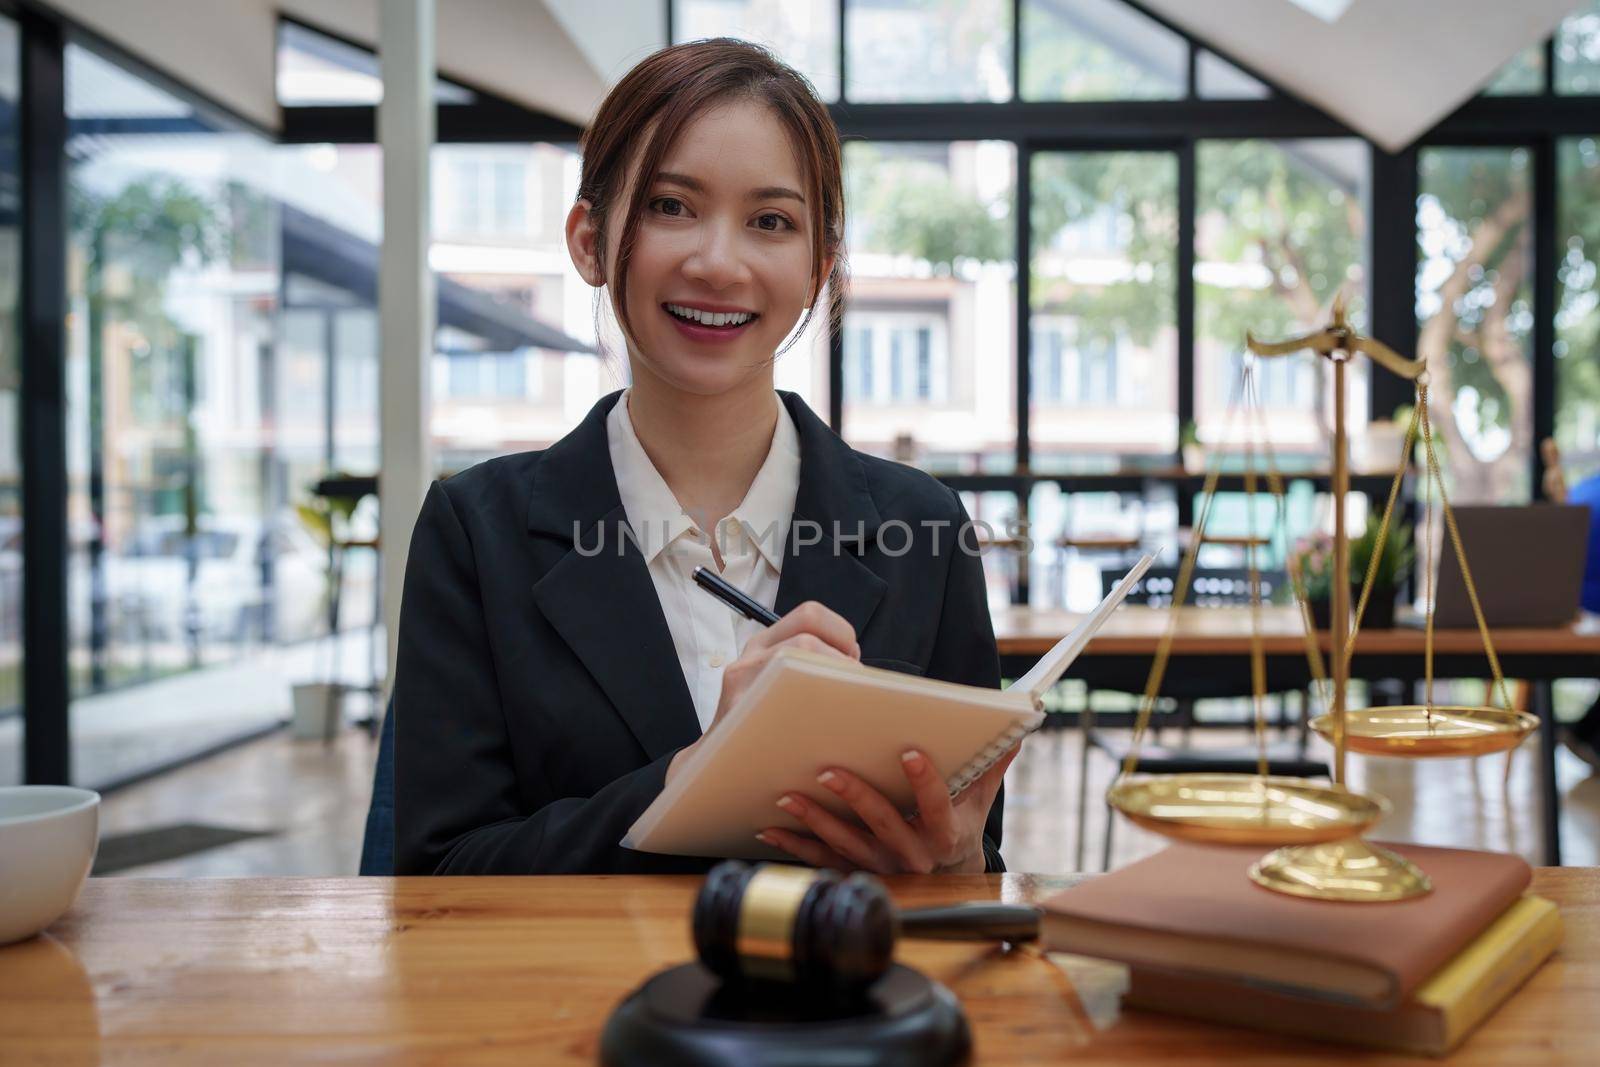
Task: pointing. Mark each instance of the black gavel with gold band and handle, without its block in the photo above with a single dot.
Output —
(823, 932)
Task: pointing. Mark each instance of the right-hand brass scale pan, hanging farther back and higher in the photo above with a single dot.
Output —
(1409, 730)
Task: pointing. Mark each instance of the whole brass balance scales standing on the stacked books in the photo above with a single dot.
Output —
(1316, 831)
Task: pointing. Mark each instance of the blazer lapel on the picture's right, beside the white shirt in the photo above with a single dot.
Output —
(834, 521)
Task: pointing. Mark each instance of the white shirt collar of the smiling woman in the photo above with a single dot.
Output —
(655, 513)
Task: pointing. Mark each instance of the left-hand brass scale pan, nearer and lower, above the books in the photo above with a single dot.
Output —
(1246, 809)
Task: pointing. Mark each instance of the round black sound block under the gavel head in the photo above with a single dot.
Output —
(686, 1017)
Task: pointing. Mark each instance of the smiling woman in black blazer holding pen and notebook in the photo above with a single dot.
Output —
(534, 730)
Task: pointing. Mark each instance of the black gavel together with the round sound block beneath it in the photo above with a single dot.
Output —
(796, 967)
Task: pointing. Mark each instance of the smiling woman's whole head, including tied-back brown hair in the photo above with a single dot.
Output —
(766, 218)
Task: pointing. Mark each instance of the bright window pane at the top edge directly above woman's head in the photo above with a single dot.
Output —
(802, 33)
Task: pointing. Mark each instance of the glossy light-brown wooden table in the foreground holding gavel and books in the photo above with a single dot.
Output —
(526, 972)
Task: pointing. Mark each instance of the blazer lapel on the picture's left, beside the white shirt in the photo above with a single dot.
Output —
(599, 596)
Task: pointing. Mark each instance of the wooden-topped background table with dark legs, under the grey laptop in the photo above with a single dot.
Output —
(1119, 658)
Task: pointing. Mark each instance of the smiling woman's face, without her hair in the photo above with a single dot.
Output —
(722, 266)
